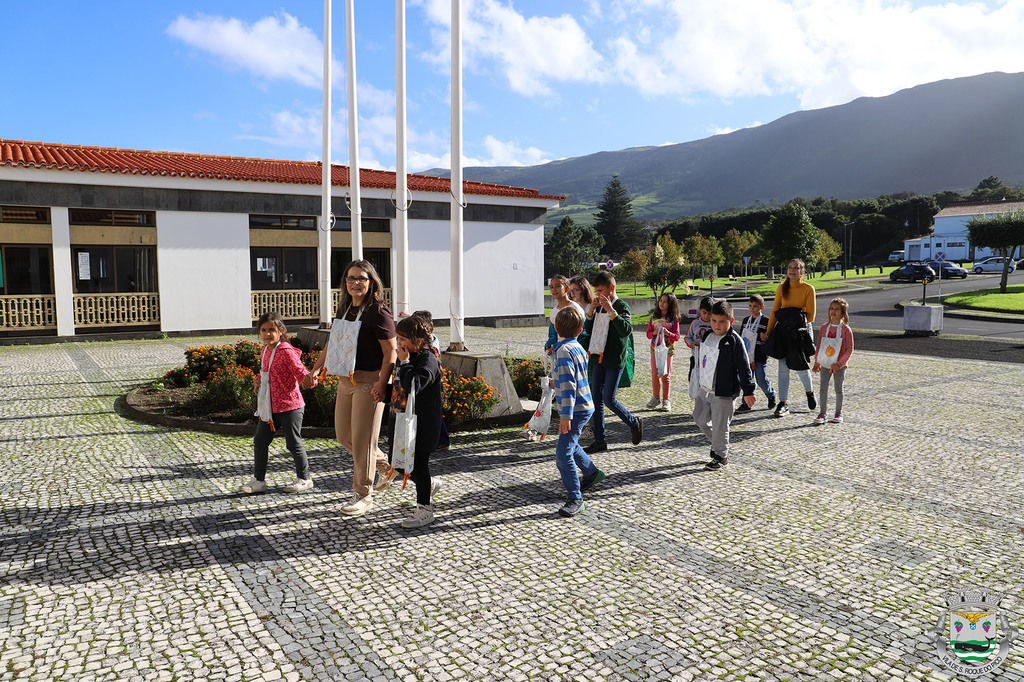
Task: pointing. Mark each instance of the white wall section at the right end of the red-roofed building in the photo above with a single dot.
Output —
(503, 269)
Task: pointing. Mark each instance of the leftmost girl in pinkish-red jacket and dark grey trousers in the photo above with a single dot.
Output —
(280, 405)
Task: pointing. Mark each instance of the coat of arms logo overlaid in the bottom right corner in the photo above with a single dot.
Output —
(973, 635)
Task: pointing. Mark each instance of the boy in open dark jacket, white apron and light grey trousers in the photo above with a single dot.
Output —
(726, 370)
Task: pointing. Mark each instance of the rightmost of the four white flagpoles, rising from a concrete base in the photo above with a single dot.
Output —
(458, 332)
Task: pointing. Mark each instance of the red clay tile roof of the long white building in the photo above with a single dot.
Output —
(136, 162)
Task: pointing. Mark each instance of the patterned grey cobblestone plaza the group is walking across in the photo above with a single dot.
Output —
(819, 553)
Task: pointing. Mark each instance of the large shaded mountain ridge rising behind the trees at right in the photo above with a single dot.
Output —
(944, 136)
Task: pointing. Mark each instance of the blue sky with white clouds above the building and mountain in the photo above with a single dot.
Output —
(543, 80)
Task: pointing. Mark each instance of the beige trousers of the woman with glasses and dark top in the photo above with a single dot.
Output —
(358, 425)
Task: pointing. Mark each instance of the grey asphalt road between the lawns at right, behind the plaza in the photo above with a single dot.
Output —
(876, 309)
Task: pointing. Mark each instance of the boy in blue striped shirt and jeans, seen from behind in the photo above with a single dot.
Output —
(575, 410)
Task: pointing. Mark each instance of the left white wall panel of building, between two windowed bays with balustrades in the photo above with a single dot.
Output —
(203, 271)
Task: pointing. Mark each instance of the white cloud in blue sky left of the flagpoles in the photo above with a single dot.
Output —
(275, 48)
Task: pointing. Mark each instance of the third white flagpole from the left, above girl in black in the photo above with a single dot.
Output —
(401, 183)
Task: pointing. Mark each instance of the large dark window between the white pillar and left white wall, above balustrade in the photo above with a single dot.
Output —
(114, 270)
